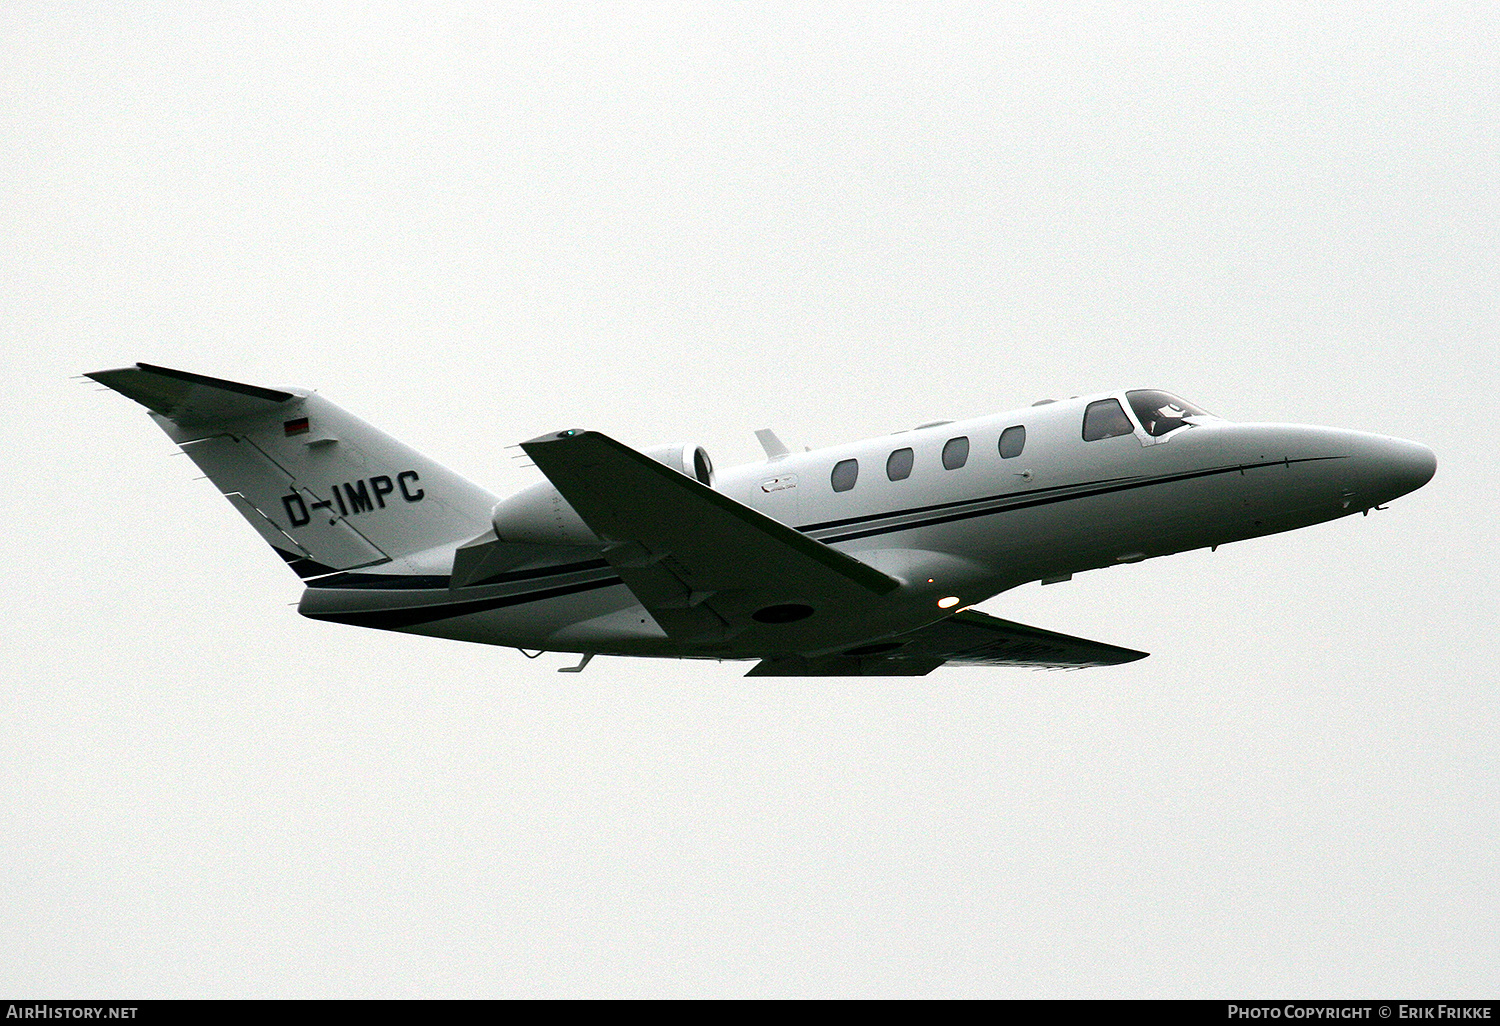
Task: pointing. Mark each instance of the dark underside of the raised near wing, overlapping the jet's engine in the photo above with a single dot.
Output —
(704, 566)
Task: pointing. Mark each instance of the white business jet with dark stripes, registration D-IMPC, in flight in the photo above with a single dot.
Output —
(854, 560)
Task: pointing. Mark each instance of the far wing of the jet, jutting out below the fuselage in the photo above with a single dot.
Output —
(967, 640)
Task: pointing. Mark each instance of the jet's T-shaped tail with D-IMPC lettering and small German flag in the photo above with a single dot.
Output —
(326, 490)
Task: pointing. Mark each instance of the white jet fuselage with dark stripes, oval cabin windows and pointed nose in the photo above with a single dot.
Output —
(956, 520)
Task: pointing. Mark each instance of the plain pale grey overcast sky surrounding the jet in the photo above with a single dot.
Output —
(475, 223)
